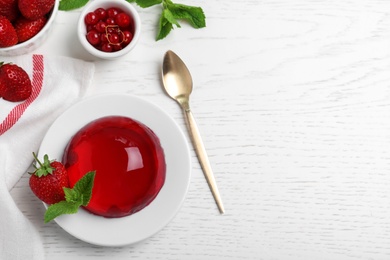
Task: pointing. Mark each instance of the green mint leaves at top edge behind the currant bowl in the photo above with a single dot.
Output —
(169, 18)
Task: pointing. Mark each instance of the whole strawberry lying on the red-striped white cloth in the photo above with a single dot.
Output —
(15, 84)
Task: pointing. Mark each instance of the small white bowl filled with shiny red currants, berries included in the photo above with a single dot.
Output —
(109, 29)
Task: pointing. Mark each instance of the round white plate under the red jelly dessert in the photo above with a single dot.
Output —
(145, 223)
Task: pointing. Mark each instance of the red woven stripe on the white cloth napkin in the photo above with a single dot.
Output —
(37, 83)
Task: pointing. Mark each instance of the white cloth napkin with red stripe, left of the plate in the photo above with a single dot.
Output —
(58, 82)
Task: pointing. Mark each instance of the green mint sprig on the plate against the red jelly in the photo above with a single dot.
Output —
(78, 196)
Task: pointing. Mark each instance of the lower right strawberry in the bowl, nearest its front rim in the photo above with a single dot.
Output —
(26, 29)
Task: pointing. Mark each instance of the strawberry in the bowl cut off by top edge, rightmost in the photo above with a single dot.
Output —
(34, 9)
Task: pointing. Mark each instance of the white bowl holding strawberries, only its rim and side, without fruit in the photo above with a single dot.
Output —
(34, 42)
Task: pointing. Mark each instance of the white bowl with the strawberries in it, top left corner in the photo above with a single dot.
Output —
(25, 24)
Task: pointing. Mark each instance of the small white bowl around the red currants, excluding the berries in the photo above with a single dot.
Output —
(125, 7)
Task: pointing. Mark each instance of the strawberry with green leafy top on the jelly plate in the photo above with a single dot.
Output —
(48, 181)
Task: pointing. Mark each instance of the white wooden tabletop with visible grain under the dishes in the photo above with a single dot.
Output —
(292, 98)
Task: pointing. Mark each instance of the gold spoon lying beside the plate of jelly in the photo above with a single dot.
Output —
(177, 82)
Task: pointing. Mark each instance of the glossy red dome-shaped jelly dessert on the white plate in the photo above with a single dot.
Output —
(129, 163)
